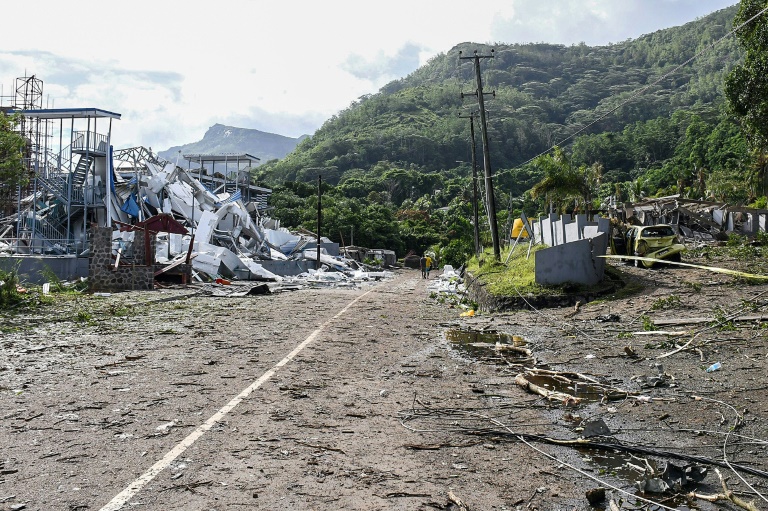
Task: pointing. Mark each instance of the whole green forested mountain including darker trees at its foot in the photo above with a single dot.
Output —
(645, 116)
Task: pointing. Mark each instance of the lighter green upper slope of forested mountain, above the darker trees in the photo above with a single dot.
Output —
(544, 94)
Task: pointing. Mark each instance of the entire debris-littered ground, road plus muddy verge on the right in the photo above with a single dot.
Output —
(381, 397)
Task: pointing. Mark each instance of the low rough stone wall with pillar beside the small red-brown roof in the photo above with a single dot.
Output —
(102, 275)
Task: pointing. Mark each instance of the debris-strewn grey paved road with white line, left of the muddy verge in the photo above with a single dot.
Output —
(290, 401)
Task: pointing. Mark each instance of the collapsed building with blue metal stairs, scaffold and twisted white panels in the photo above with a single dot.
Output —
(208, 221)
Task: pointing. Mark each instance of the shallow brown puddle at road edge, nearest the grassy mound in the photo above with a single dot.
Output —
(483, 345)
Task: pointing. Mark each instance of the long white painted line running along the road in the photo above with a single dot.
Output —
(135, 487)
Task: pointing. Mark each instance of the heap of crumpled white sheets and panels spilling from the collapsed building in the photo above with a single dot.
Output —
(224, 236)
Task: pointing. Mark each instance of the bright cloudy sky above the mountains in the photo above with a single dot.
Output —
(172, 69)
